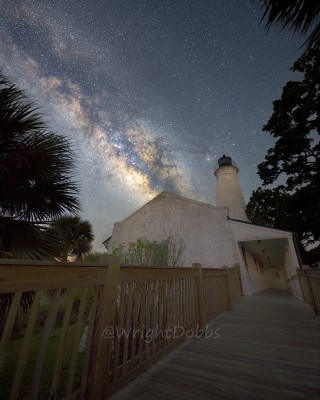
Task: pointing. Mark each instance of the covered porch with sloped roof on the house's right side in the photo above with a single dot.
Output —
(268, 258)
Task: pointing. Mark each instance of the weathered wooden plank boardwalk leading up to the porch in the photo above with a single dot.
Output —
(269, 348)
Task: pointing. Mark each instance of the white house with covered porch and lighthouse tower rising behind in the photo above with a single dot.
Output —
(217, 236)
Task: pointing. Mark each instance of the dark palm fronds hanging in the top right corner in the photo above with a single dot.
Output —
(298, 15)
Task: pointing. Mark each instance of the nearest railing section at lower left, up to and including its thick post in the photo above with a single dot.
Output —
(56, 287)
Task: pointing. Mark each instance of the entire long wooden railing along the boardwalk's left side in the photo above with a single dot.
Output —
(124, 319)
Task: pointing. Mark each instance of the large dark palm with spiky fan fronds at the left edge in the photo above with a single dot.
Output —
(35, 177)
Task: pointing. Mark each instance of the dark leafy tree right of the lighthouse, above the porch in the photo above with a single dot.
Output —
(294, 159)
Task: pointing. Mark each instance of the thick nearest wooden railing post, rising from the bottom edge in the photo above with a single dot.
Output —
(105, 317)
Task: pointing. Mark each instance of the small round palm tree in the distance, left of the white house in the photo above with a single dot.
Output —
(74, 235)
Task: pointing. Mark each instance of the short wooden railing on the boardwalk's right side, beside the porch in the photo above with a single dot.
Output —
(310, 285)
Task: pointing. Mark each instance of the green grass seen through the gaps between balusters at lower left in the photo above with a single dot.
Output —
(12, 356)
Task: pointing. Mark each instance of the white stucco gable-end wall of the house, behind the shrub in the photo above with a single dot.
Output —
(203, 227)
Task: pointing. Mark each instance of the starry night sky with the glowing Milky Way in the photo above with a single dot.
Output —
(150, 92)
